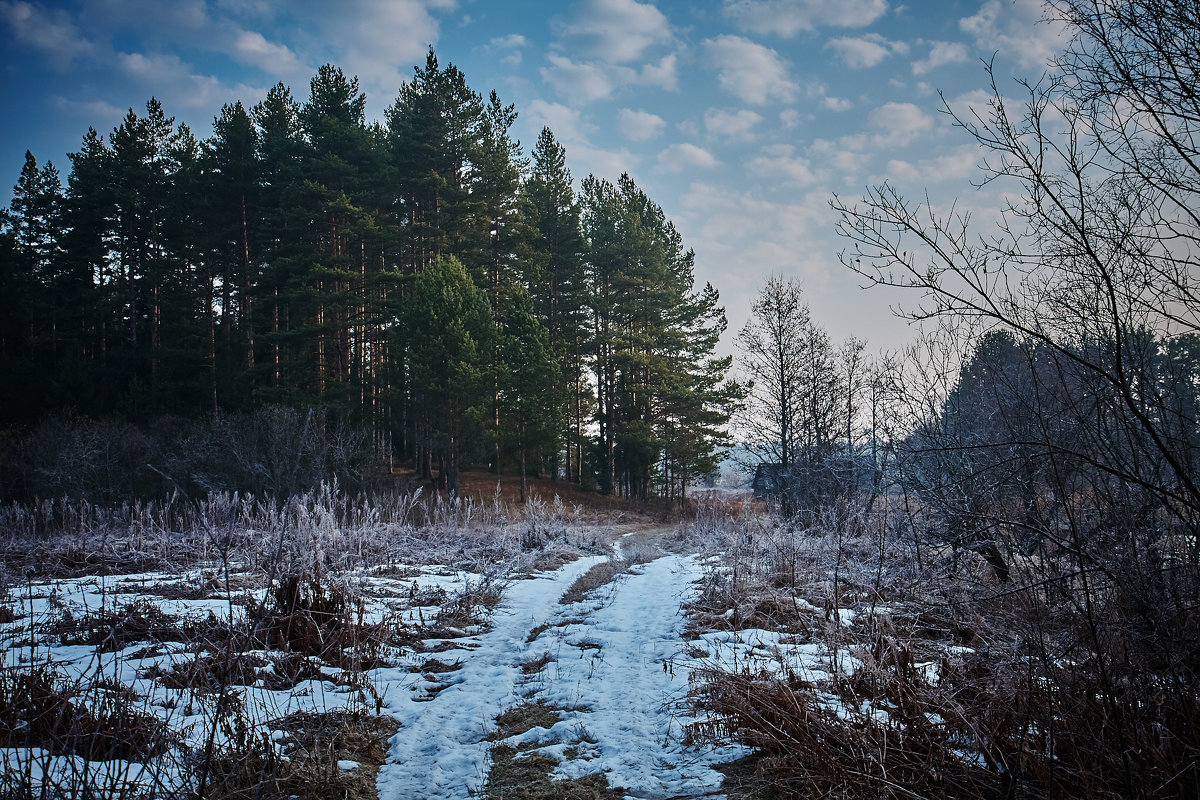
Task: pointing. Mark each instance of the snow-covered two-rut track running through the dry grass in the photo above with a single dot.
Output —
(615, 672)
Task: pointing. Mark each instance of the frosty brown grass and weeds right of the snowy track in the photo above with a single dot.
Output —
(862, 661)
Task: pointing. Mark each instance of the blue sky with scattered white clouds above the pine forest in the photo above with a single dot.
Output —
(741, 118)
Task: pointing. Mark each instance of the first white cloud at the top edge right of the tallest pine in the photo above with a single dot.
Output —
(619, 32)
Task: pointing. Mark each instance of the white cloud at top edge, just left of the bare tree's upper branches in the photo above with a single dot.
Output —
(1018, 29)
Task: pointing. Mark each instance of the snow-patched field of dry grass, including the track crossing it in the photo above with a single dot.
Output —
(406, 652)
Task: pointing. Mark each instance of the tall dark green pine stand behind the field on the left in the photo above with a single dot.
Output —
(419, 279)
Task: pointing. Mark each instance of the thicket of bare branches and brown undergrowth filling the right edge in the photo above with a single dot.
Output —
(1046, 488)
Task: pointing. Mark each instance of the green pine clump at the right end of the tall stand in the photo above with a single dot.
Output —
(652, 345)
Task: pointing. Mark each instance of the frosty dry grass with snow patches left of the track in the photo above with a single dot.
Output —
(253, 649)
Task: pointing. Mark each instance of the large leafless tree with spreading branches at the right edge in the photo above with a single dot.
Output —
(1078, 448)
